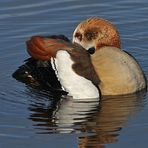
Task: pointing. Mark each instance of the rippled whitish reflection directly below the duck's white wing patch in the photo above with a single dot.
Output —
(72, 113)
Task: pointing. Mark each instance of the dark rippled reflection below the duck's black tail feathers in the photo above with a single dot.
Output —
(42, 107)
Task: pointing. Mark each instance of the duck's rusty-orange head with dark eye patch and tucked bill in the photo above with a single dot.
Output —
(95, 33)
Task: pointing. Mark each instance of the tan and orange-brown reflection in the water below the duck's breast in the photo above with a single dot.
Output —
(111, 118)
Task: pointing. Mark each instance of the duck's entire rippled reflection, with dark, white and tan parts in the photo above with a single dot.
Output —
(96, 123)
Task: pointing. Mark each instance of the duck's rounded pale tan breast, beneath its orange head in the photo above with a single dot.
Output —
(118, 71)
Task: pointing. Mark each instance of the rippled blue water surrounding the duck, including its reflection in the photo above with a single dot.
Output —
(33, 118)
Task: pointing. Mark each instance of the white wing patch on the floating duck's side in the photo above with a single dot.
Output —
(77, 86)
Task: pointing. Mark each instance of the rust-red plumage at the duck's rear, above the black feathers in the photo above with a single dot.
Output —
(43, 49)
